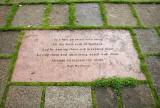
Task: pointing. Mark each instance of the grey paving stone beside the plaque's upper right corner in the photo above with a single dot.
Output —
(148, 39)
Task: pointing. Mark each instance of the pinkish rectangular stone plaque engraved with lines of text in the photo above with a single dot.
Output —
(77, 55)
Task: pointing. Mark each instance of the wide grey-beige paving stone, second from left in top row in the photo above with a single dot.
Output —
(29, 15)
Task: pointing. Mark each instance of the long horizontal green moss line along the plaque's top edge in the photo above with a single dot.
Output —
(72, 27)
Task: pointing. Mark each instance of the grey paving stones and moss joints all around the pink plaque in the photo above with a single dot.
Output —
(141, 18)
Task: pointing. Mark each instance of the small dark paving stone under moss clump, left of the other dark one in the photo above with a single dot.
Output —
(106, 98)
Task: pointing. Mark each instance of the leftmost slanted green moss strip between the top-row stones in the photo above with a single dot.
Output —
(11, 15)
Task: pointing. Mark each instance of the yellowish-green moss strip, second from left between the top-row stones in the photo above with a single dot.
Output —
(47, 15)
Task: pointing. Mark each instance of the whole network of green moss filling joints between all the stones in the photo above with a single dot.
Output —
(117, 83)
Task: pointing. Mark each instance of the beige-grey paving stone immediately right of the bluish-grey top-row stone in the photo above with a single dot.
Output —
(120, 14)
